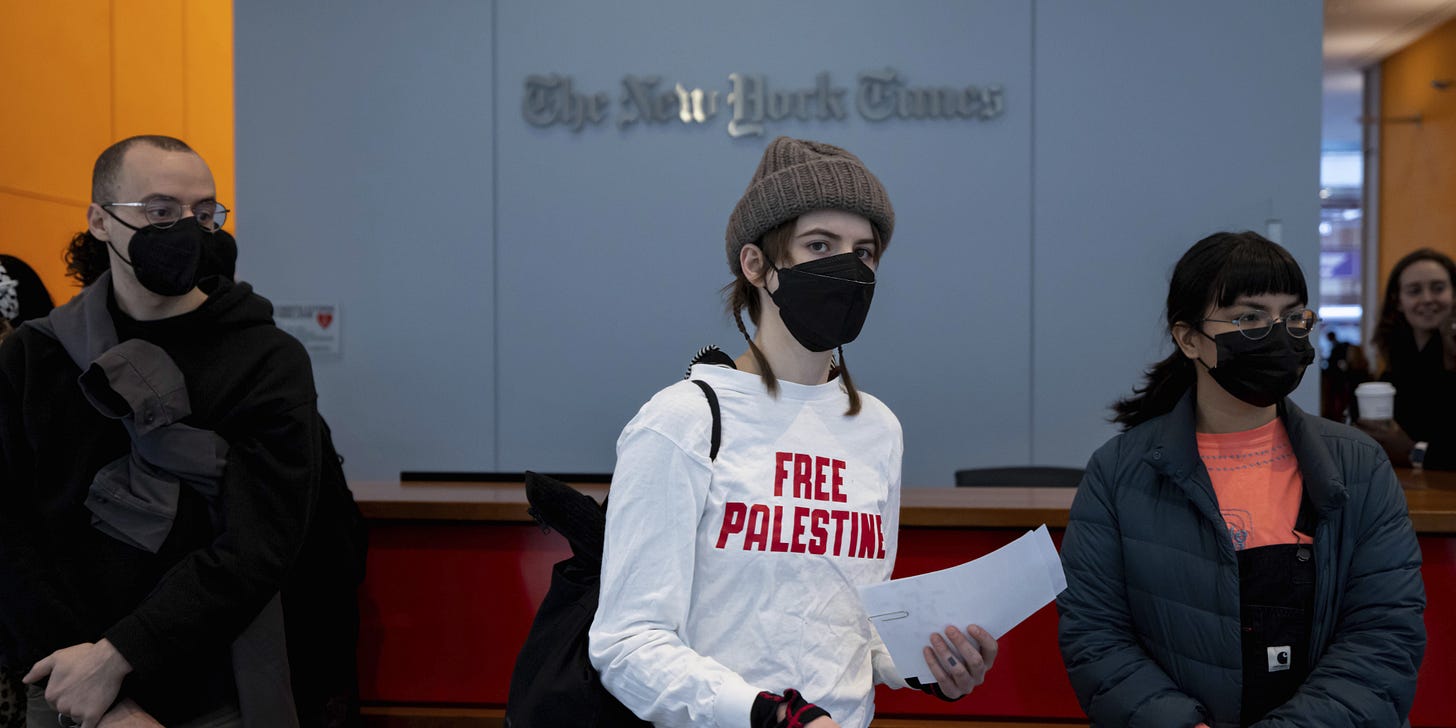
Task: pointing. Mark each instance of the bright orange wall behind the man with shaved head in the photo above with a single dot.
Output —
(79, 75)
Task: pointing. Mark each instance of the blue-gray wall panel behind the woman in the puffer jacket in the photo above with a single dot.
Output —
(1157, 124)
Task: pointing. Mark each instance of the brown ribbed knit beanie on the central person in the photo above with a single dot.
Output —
(799, 177)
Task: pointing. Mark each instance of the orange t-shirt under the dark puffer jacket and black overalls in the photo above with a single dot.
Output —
(1256, 478)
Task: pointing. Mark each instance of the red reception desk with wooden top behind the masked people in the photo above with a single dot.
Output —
(456, 573)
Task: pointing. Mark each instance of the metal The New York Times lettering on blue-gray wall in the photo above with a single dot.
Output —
(751, 103)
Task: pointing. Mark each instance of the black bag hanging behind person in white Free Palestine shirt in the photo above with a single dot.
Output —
(554, 682)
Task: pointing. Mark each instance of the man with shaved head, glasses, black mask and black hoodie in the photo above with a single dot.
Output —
(159, 456)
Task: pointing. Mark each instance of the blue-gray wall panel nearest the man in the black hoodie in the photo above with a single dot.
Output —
(365, 180)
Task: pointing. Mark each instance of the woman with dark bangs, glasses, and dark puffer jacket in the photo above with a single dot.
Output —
(1233, 561)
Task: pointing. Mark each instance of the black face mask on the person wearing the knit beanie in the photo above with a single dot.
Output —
(823, 304)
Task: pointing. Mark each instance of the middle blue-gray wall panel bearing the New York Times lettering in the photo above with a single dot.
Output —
(611, 241)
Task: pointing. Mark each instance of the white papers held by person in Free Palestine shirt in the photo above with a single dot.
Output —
(997, 592)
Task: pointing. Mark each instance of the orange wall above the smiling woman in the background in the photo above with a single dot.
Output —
(1419, 161)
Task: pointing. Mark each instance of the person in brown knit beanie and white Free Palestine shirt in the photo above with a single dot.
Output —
(729, 585)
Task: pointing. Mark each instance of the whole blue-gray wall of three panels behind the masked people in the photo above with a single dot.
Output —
(512, 295)
